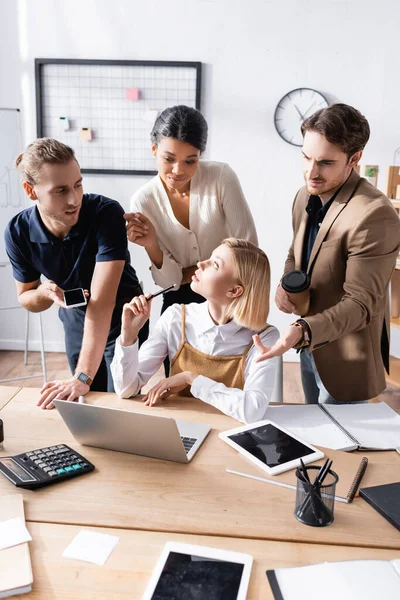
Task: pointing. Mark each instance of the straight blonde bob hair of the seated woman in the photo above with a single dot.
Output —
(253, 273)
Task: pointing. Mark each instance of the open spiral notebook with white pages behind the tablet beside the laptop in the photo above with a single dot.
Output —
(341, 427)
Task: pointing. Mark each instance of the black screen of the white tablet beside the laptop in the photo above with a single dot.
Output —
(271, 445)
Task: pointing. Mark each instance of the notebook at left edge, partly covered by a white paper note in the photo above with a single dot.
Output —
(15, 562)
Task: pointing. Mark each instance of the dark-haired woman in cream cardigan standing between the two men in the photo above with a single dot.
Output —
(185, 212)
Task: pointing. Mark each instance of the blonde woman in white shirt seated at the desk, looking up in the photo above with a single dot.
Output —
(213, 347)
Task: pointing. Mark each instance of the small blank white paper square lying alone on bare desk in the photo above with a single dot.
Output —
(91, 547)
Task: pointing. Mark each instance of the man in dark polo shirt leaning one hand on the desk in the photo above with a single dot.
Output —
(75, 240)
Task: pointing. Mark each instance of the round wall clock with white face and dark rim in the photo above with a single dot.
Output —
(293, 109)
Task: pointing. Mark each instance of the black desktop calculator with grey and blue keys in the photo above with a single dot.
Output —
(41, 467)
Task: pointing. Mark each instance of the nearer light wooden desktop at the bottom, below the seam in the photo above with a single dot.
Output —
(128, 569)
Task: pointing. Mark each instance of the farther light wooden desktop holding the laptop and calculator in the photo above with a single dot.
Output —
(135, 492)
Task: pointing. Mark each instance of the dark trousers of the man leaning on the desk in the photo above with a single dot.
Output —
(73, 320)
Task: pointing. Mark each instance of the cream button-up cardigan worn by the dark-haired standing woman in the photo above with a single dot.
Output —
(218, 209)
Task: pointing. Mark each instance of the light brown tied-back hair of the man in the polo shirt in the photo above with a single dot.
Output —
(41, 151)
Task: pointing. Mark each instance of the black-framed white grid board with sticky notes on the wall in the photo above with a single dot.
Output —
(105, 109)
